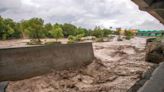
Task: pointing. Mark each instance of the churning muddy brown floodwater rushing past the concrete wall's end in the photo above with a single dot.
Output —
(117, 67)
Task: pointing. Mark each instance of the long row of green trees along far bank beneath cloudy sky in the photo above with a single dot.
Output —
(35, 28)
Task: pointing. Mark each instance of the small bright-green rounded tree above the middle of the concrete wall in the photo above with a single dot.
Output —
(57, 32)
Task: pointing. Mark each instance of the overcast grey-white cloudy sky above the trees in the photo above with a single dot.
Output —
(85, 13)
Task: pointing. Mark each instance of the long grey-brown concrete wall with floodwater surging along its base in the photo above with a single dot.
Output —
(26, 62)
